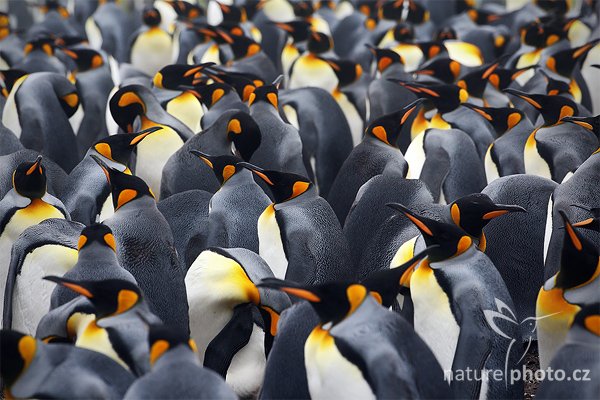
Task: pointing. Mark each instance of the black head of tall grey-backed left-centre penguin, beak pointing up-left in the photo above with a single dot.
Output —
(125, 188)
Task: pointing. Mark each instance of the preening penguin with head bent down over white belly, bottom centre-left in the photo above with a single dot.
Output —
(232, 321)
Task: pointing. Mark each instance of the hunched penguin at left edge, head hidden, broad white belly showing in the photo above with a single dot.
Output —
(54, 239)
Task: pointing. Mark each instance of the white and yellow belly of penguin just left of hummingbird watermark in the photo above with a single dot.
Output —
(433, 319)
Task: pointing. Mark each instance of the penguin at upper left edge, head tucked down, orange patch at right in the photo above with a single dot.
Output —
(37, 111)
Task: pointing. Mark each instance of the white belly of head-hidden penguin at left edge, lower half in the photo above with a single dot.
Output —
(31, 299)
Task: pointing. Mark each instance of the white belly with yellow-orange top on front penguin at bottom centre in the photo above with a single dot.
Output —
(329, 374)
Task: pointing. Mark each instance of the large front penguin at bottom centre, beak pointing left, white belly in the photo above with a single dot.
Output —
(344, 352)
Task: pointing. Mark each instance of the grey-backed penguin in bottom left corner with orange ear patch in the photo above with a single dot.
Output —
(67, 371)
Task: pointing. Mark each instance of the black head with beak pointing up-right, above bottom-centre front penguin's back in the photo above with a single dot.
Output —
(385, 284)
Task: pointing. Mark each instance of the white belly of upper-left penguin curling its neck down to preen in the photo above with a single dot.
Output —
(153, 153)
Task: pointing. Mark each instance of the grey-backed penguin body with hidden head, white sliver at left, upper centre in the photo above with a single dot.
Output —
(325, 134)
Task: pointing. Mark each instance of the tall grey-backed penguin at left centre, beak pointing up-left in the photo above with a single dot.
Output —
(138, 226)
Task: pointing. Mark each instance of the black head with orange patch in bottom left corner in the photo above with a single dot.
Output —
(18, 351)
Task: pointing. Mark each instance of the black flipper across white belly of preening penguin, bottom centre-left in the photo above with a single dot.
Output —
(233, 337)
